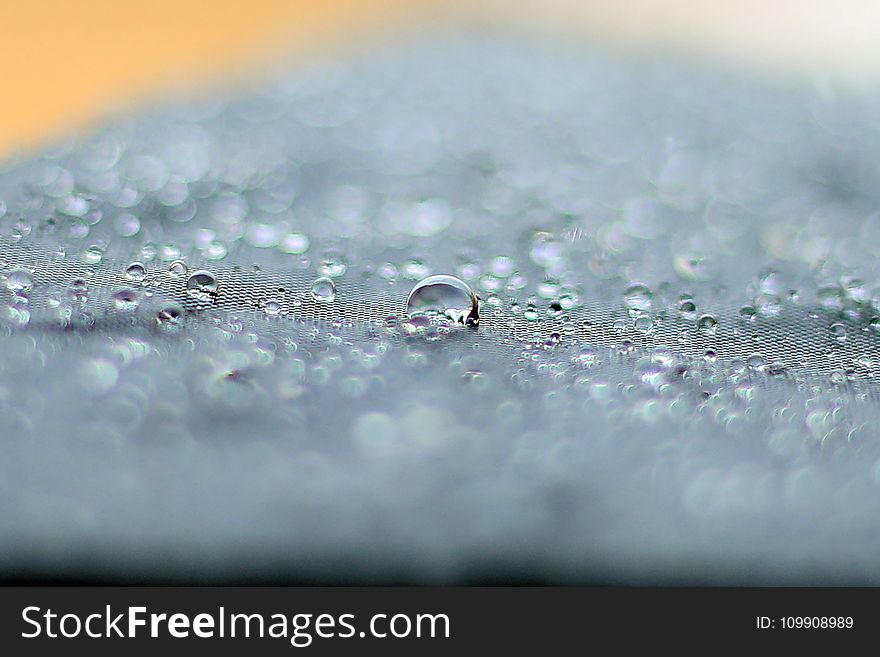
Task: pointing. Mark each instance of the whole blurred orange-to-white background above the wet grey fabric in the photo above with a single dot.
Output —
(64, 64)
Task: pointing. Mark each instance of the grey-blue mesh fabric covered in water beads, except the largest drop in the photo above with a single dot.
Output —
(206, 370)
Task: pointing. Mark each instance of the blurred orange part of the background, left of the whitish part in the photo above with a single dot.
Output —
(64, 62)
